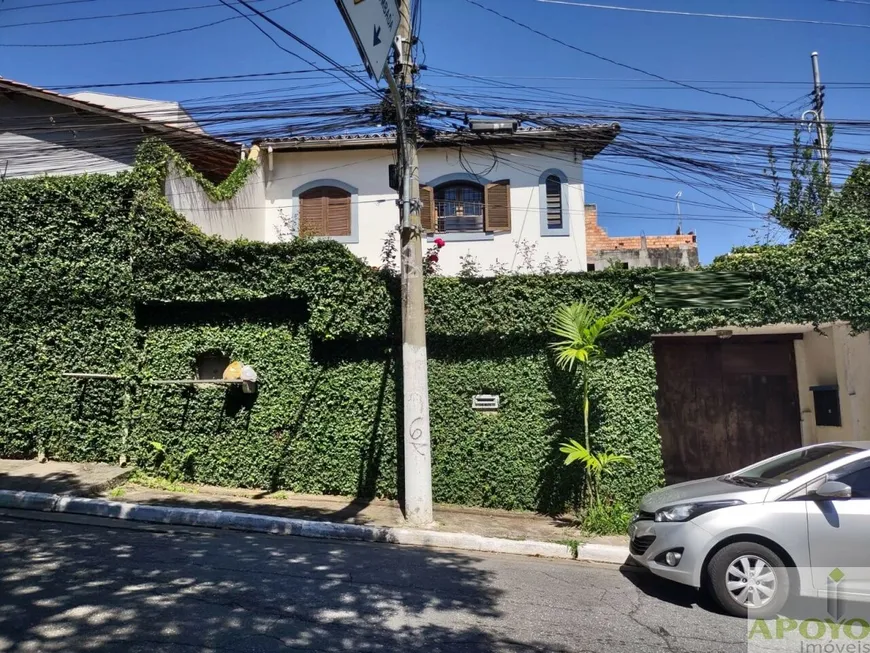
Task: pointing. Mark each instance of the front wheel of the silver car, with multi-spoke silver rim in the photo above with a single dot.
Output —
(747, 577)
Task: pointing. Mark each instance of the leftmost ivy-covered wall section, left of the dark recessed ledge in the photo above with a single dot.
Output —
(66, 283)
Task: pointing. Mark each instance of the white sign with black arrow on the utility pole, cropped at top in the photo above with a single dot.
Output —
(373, 25)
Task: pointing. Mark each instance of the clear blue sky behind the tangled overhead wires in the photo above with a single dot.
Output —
(730, 56)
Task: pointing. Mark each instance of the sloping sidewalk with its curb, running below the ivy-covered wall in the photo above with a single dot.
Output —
(382, 518)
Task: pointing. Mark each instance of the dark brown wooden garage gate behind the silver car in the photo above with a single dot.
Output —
(725, 403)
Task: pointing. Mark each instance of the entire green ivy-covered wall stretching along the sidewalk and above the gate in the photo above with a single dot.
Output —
(103, 276)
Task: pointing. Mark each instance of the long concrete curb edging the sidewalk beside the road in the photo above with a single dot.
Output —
(303, 528)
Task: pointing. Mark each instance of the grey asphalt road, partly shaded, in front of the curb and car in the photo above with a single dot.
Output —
(84, 585)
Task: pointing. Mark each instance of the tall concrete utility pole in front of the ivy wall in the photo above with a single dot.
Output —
(417, 442)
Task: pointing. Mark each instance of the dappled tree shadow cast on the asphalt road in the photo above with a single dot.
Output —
(71, 587)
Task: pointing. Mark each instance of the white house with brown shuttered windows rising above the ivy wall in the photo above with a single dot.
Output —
(499, 201)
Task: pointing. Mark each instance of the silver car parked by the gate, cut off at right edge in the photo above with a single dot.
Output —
(757, 535)
